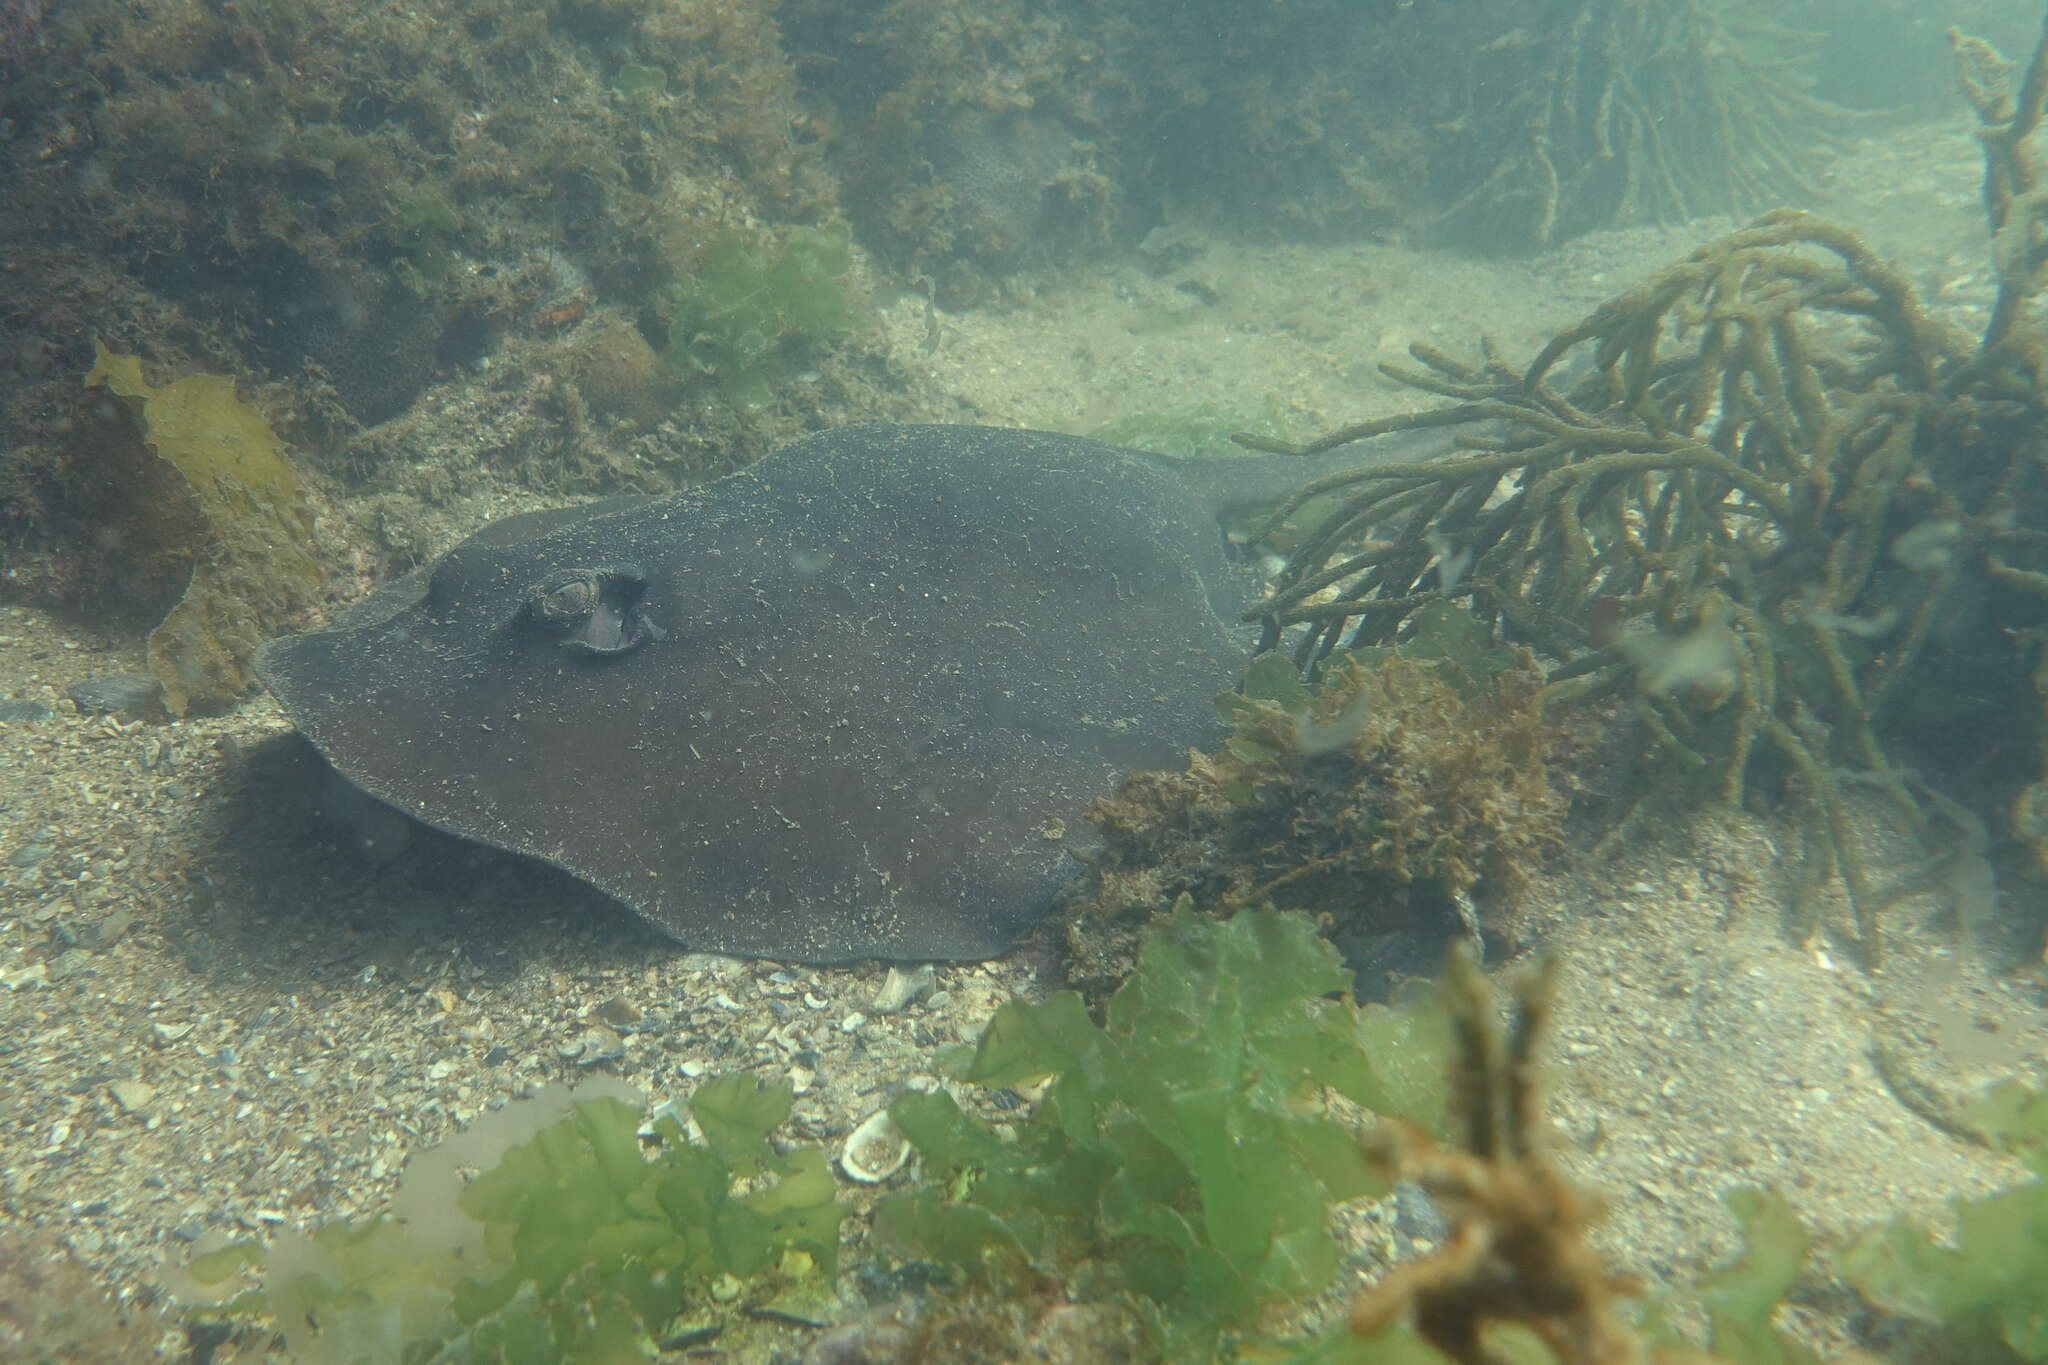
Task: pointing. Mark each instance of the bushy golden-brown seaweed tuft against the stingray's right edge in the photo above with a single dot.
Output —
(1385, 795)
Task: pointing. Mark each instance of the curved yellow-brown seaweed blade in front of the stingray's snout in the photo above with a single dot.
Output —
(255, 560)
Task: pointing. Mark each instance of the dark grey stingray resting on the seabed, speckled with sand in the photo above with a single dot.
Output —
(849, 703)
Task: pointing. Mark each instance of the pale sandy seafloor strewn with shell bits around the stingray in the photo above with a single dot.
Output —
(214, 1022)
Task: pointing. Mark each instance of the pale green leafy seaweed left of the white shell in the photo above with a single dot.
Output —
(581, 1245)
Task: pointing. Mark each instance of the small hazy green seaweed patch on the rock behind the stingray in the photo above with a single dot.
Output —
(751, 302)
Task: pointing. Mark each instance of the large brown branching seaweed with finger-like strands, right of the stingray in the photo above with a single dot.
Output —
(1768, 457)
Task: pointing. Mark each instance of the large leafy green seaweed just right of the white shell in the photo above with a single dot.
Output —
(1183, 1155)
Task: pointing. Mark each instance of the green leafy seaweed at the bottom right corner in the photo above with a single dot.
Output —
(1990, 1286)
